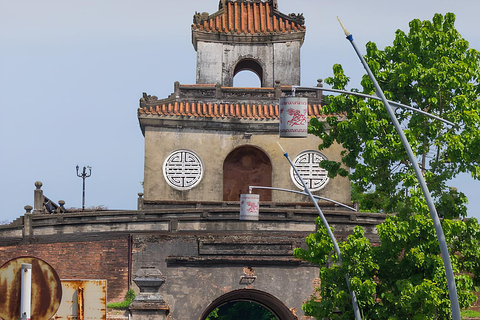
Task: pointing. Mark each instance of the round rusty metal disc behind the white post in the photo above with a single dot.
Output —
(46, 289)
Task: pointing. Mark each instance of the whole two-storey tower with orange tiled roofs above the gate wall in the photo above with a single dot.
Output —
(210, 141)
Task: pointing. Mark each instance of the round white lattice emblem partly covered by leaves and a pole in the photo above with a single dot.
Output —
(307, 164)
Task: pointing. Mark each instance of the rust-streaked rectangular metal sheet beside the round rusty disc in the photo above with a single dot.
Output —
(83, 300)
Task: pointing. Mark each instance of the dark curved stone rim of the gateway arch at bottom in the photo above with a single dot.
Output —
(262, 298)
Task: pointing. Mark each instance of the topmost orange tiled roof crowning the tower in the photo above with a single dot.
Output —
(248, 17)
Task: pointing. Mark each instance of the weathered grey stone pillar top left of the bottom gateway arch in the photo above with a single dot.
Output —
(149, 303)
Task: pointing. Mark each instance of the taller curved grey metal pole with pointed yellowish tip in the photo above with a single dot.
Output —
(452, 289)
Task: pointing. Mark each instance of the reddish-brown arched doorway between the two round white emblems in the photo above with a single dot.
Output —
(243, 167)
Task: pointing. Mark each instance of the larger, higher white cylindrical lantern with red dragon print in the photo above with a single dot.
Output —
(293, 117)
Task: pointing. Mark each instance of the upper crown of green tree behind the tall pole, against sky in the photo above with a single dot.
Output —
(433, 69)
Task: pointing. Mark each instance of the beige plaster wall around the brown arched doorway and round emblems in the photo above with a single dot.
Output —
(213, 148)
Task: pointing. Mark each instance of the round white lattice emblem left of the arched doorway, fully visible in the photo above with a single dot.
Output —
(183, 169)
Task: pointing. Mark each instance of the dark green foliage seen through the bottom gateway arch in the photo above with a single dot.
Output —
(241, 310)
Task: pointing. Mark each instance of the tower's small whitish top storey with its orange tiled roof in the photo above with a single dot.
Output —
(248, 35)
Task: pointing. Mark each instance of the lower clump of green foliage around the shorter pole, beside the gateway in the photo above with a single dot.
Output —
(402, 278)
